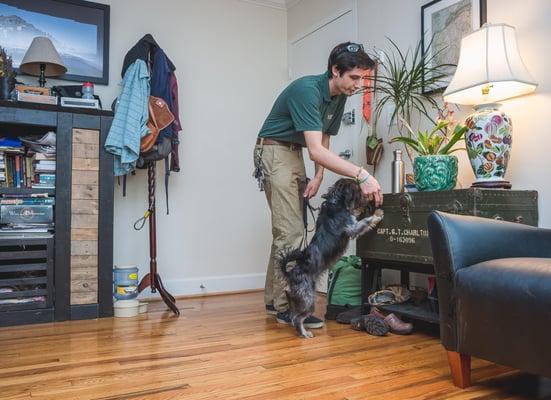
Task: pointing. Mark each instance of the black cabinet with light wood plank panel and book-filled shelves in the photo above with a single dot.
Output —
(75, 277)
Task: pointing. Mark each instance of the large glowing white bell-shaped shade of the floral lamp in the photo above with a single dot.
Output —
(489, 59)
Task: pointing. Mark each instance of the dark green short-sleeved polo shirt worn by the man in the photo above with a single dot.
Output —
(304, 105)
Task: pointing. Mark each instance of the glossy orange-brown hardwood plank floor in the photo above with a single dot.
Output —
(225, 347)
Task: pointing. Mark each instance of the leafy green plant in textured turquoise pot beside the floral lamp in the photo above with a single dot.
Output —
(434, 167)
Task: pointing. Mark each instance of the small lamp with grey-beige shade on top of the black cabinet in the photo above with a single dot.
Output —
(42, 59)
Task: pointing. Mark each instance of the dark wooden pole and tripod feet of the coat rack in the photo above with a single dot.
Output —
(153, 279)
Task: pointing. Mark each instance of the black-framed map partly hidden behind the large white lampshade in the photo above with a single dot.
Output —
(449, 18)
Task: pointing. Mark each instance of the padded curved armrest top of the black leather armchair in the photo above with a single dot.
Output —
(459, 240)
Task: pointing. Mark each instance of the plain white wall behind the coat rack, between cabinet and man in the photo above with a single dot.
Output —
(231, 63)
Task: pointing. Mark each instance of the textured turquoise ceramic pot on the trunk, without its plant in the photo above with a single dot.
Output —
(435, 172)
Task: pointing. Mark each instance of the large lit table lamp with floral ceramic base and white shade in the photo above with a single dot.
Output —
(489, 70)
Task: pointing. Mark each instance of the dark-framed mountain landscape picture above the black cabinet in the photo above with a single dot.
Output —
(79, 28)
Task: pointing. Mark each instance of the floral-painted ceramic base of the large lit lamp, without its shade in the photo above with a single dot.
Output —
(488, 142)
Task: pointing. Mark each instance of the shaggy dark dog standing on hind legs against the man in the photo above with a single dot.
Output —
(336, 224)
